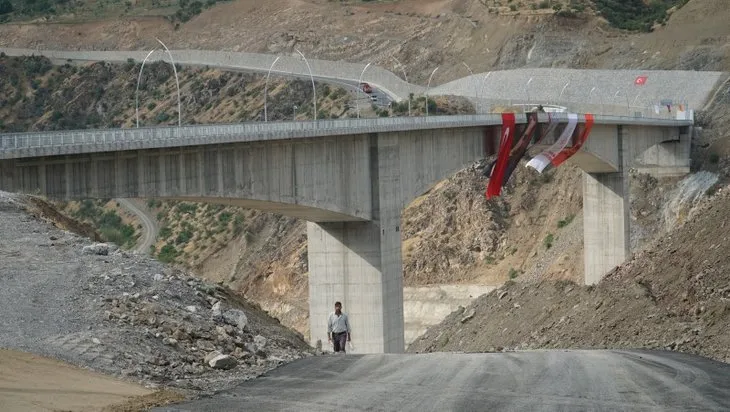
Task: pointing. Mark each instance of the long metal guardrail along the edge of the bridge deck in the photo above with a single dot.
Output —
(33, 144)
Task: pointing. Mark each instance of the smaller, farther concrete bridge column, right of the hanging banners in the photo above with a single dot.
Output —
(606, 218)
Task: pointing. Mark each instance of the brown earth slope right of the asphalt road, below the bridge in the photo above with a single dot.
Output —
(673, 295)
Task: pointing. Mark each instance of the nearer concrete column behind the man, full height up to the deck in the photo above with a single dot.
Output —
(359, 263)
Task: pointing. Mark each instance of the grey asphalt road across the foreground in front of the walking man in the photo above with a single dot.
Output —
(520, 381)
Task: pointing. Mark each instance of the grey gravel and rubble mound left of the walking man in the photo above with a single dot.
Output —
(126, 314)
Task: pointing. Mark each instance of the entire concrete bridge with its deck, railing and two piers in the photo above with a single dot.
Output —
(350, 179)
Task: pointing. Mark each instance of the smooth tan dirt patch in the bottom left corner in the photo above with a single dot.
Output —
(34, 383)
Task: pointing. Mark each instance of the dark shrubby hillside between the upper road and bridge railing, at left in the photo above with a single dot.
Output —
(36, 95)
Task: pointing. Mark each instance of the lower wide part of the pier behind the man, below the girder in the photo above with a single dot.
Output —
(358, 264)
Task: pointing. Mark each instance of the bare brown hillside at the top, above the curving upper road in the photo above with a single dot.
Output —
(421, 34)
